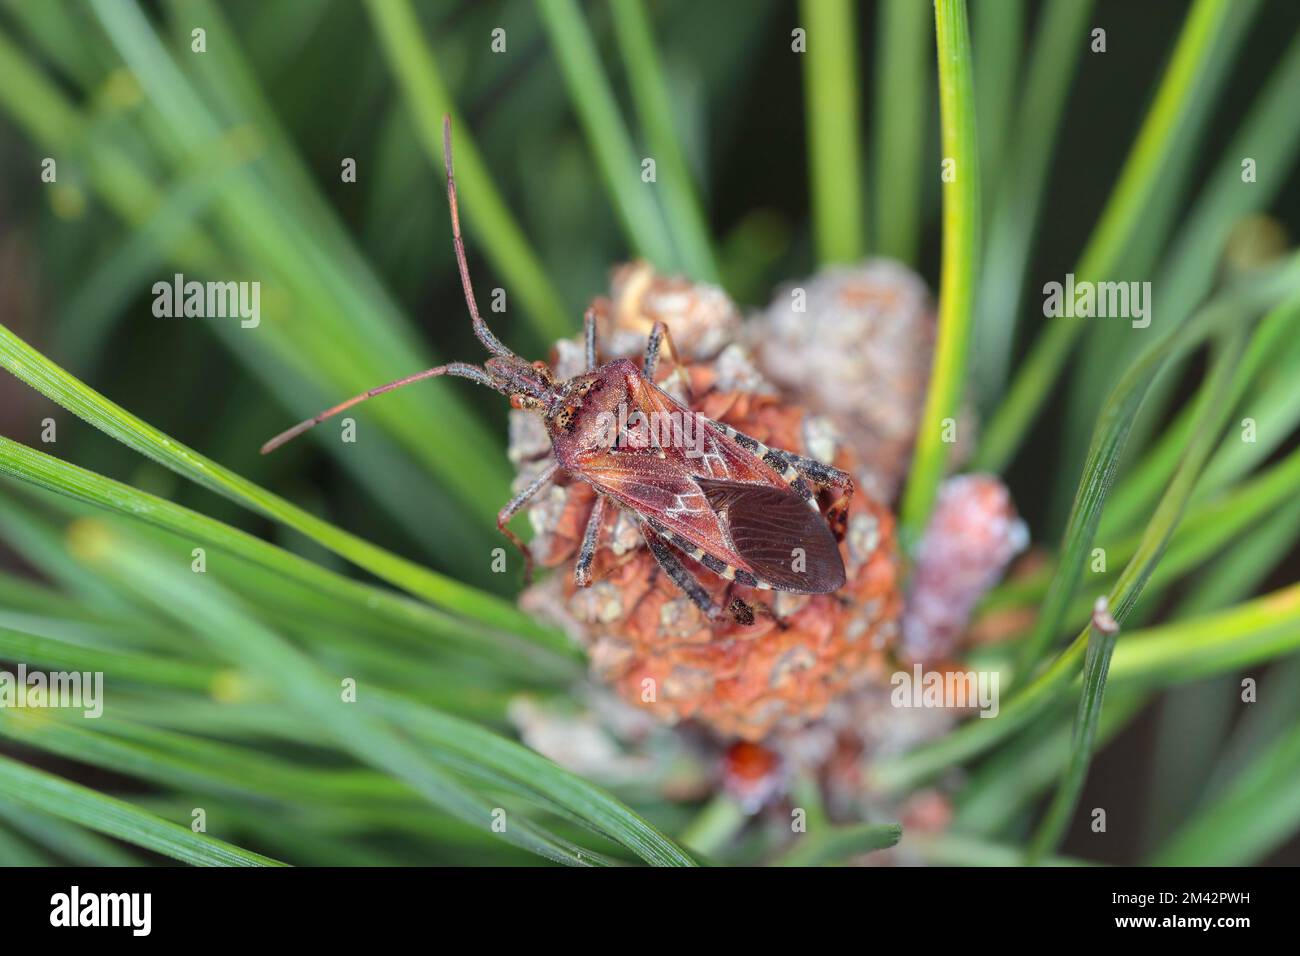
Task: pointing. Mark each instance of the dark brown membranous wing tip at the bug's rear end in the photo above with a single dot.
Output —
(778, 537)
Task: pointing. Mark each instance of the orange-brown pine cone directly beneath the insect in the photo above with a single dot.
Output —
(644, 637)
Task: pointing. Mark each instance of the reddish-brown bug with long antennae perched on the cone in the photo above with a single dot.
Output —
(696, 487)
